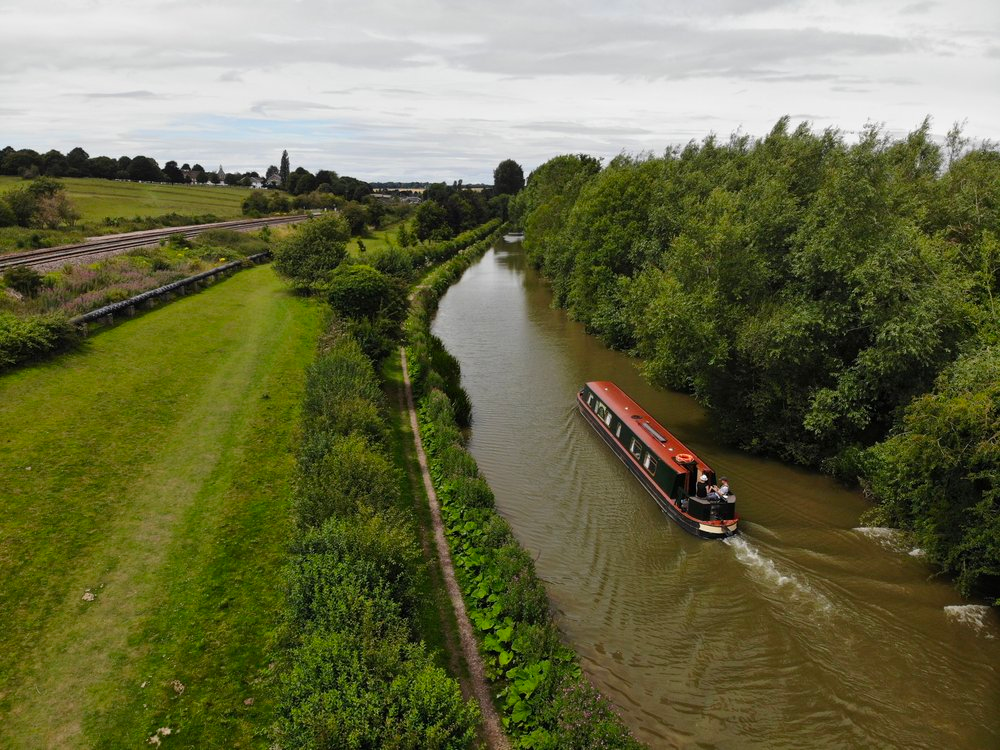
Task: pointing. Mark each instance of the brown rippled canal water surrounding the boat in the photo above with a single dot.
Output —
(805, 631)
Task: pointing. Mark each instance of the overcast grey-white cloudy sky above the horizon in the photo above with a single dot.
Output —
(445, 90)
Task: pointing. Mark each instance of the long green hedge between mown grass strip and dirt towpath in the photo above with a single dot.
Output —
(357, 677)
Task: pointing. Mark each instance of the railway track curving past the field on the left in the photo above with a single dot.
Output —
(117, 243)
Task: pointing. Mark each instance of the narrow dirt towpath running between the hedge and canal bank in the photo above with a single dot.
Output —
(491, 721)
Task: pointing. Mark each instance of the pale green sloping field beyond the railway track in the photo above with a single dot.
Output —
(98, 199)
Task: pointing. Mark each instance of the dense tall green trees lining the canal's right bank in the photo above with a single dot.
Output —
(831, 303)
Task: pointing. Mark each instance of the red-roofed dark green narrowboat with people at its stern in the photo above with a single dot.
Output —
(676, 478)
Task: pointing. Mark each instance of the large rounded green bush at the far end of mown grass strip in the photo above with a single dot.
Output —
(308, 255)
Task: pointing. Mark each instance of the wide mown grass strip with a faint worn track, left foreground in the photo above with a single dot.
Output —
(151, 469)
